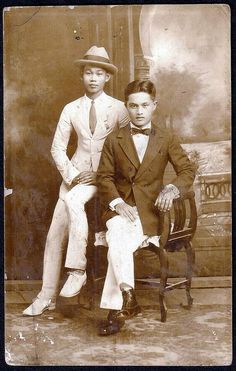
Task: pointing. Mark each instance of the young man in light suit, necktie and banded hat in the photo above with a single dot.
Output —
(93, 117)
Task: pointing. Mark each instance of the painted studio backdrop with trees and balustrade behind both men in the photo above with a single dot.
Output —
(178, 47)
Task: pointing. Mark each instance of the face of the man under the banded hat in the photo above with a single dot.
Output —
(94, 79)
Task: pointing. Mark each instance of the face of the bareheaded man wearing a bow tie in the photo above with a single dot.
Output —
(140, 107)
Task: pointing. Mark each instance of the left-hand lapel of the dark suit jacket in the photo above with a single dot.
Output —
(126, 142)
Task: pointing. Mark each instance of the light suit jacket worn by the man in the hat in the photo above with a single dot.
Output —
(89, 147)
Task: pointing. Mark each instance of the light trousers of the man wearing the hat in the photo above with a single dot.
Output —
(69, 222)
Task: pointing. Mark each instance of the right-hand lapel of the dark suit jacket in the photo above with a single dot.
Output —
(155, 142)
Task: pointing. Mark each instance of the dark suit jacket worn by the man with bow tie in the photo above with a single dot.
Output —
(120, 173)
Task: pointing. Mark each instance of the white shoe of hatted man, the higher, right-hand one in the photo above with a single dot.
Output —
(73, 285)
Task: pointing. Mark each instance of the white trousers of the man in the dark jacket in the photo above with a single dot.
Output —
(123, 238)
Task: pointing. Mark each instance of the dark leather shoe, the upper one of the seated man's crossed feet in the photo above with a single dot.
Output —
(129, 309)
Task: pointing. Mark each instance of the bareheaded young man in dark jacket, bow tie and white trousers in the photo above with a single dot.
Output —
(130, 184)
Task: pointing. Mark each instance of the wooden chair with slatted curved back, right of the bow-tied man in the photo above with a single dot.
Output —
(177, 231)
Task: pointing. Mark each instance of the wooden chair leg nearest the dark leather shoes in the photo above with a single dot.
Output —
(164, 266)
